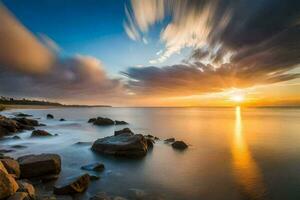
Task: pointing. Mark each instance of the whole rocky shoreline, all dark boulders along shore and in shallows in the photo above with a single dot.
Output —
(20, 176)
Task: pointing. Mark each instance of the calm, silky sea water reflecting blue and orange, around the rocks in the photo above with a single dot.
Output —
(235, 153)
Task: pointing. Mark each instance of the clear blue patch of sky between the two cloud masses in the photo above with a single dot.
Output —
(92, 27)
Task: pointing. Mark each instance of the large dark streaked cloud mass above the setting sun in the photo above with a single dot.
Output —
(234, 44)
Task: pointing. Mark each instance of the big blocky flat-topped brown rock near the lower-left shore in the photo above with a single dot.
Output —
(39, 165)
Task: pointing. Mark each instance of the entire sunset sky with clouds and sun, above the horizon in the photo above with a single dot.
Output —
(151, 52)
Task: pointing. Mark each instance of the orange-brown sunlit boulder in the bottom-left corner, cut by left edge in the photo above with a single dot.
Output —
(8, 185)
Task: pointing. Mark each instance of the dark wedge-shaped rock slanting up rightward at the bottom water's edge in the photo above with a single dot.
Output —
(77, 185)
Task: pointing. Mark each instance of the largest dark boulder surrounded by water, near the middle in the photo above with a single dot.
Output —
(122, 145)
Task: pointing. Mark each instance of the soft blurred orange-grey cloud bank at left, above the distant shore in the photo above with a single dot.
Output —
(30, 68)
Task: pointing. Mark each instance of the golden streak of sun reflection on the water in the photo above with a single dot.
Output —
(246, 171)
